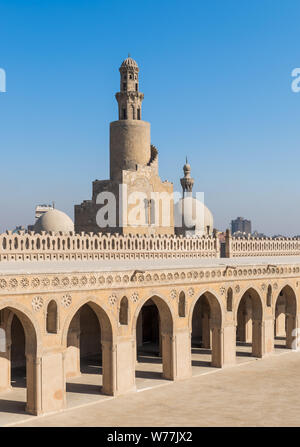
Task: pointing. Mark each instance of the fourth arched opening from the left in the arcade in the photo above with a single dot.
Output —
(206, 324)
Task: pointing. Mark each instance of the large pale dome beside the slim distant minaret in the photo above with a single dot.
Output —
(194, 215)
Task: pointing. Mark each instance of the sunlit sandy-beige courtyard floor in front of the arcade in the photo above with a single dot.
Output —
(252, 393)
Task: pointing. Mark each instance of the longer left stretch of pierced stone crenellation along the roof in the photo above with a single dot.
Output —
(57, 246)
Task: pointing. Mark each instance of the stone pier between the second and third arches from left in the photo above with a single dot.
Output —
(119, 359)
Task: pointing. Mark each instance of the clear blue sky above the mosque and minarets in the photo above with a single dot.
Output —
(217, 82)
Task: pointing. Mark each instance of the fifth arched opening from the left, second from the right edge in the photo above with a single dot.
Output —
(249, 326)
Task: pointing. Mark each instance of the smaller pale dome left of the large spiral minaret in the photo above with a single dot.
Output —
(55, 221)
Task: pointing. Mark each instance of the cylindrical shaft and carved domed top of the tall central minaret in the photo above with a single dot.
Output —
(129, 136)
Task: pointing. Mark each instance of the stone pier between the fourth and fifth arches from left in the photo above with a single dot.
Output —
(223, 345)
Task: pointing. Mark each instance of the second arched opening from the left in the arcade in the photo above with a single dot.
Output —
(87, 367)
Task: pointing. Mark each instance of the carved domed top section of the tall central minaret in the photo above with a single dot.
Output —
(129, 98)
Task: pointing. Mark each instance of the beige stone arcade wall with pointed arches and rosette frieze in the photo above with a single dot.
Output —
(205, 304)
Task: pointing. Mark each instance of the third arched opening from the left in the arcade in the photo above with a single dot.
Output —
(154, 329)
